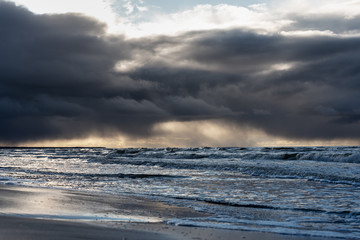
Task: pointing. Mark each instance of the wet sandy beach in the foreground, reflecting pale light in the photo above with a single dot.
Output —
(41, 214)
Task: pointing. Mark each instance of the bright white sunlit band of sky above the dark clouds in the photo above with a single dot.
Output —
(265, 17)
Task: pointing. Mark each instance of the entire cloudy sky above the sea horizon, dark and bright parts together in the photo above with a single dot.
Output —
(137, 73)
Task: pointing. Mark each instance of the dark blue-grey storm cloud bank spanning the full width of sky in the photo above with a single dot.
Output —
(57, 80)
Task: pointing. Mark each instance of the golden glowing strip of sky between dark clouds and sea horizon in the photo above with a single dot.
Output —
(214, 133)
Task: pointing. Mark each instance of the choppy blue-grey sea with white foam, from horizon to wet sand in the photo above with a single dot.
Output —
(289, 190)
